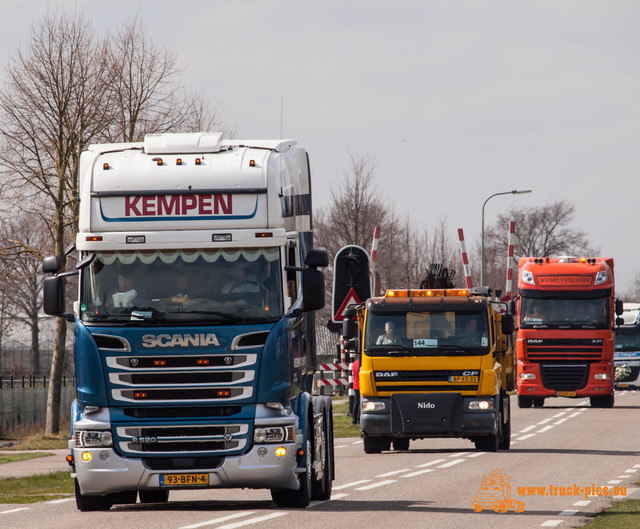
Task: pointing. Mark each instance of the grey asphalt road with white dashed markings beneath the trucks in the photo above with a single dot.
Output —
(563, 457)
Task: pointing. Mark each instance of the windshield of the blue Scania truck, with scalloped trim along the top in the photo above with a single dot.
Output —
(181, 286)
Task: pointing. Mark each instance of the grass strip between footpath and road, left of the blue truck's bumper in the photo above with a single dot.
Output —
(36, 488)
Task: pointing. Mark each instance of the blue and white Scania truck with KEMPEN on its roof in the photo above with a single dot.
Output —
(194, 323)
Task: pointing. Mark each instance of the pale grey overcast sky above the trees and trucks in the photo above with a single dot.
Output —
(455, 100)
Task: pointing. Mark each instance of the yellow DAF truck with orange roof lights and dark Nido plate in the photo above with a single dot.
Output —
(434, 363)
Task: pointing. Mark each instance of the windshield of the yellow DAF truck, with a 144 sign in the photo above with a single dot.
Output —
(426, 333)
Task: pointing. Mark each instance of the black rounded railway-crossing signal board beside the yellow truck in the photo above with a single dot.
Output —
(351, 279)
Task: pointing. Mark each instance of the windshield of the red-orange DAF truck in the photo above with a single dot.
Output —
(564, 312)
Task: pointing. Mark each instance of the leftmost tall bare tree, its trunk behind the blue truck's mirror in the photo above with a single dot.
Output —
(52, 105)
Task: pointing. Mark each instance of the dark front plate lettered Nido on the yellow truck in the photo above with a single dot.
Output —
(426, 413)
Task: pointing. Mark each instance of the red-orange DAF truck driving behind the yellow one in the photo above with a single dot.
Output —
(566, 312)
